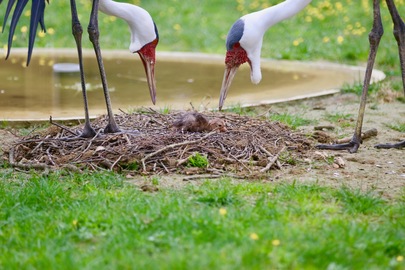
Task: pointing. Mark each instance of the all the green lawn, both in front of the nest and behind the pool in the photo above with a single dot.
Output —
(98, 220)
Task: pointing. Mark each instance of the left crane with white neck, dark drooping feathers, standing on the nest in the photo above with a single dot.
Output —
(144, 39)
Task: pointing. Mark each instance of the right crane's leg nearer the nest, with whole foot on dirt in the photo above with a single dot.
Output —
(374, 39)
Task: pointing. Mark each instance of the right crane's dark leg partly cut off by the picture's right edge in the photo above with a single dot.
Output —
(399, 33)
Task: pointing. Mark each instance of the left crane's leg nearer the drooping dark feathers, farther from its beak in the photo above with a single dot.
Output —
(77, 31)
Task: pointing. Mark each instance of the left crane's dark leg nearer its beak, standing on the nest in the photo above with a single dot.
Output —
(94, 34)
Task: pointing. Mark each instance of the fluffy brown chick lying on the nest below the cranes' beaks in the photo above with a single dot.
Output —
(197, 122)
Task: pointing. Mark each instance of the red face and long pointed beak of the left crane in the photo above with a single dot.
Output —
(147, 54)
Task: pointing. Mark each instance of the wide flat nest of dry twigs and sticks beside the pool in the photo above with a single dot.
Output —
(251, 147)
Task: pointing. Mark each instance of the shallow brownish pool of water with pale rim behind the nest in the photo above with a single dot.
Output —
(38, 92)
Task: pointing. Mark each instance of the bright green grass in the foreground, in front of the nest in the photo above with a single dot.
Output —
(90, 221)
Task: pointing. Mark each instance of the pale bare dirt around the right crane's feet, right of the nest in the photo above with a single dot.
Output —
(370, 169)
